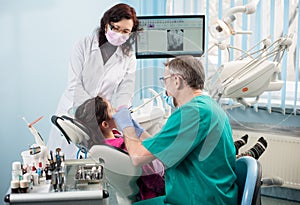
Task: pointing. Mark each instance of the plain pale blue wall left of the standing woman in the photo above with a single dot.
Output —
(36, 38)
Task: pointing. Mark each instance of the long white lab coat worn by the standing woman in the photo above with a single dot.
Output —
(89, 77)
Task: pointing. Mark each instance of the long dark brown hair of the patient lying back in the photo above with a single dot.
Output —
(91, 114)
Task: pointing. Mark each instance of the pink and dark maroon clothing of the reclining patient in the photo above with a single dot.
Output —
(151, 183)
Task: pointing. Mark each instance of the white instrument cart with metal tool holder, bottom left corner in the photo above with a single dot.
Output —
(83, 183)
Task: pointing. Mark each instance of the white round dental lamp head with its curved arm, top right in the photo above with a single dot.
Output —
(222, 29)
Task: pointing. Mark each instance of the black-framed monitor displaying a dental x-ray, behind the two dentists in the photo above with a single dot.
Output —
(170, 36)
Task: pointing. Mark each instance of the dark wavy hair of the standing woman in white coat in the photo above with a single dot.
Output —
(115, 14)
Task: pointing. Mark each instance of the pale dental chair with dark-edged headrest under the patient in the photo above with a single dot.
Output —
(118, 169)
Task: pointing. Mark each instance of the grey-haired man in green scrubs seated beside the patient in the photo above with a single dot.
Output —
(195, 144)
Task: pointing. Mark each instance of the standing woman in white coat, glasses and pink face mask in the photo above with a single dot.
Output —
(101, 64)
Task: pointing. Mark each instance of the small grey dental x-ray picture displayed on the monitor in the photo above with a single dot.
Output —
(175, 39)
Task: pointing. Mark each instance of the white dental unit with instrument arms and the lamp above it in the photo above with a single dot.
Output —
(251, 74)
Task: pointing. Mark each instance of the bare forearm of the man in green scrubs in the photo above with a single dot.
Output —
(138, 153)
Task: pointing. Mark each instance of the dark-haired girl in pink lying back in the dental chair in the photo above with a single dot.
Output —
(96, 114)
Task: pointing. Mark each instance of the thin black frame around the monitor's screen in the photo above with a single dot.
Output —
(166, 55)
